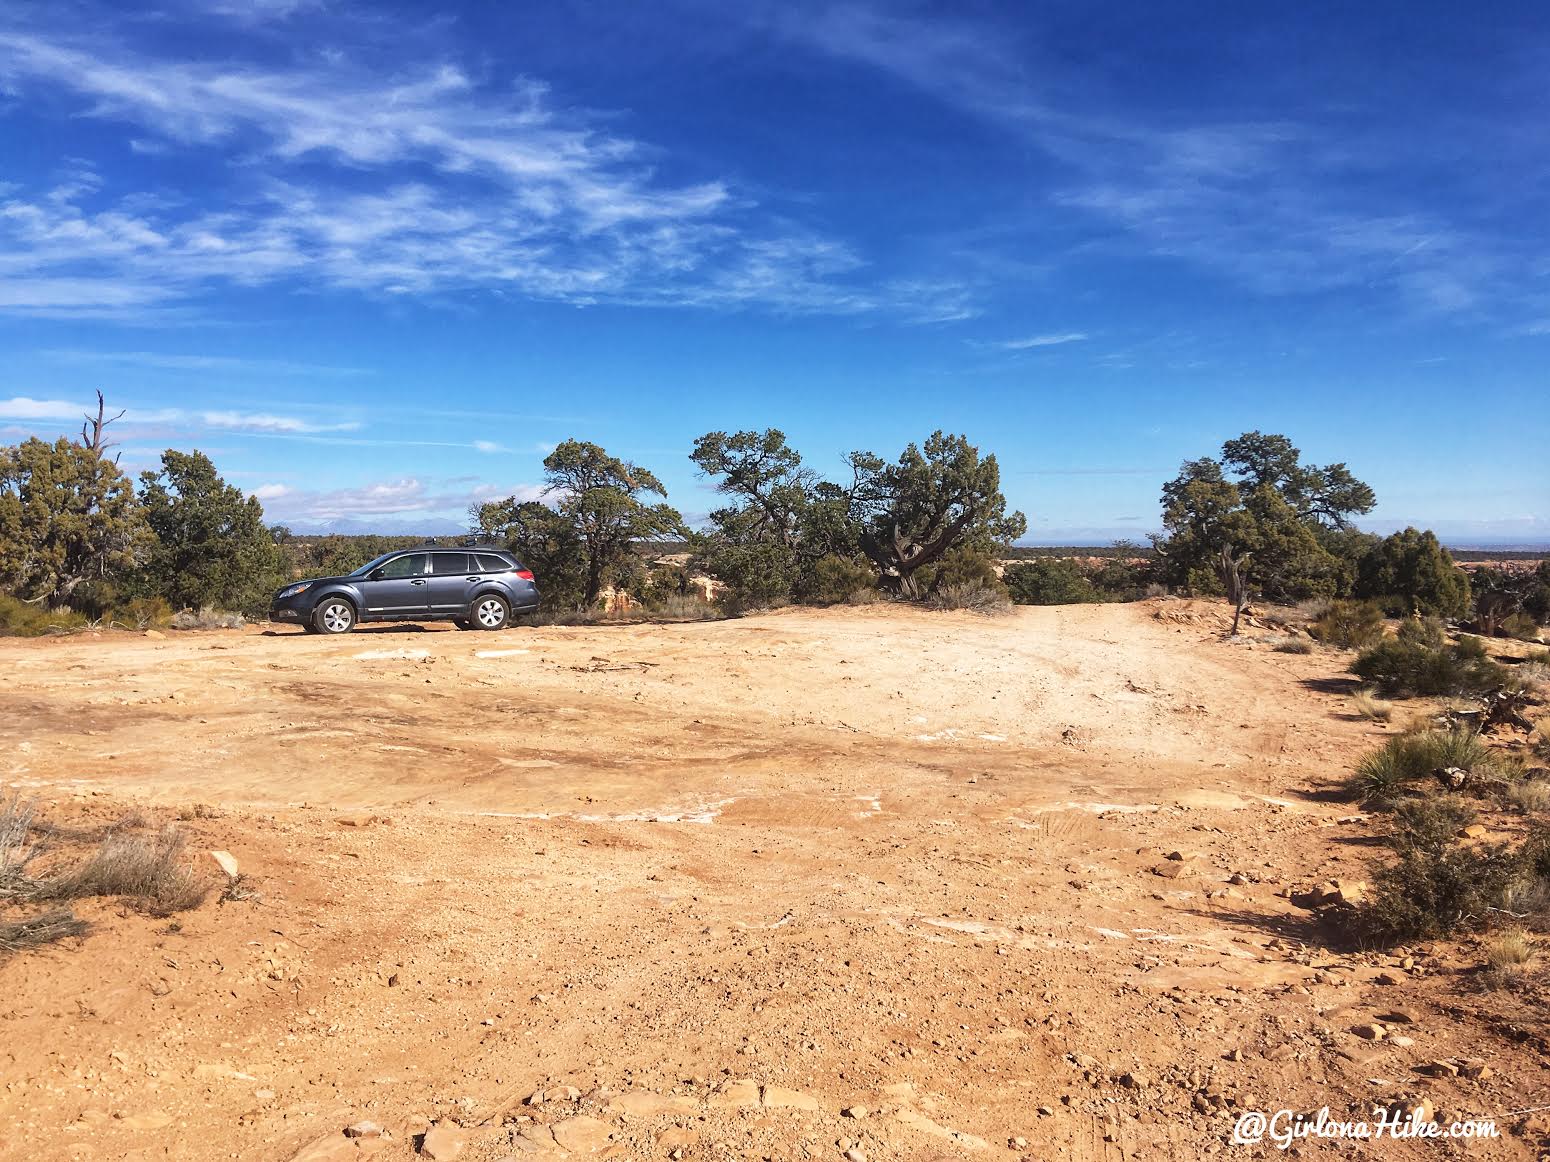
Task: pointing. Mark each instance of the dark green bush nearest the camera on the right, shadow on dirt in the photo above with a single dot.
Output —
(1441, 892)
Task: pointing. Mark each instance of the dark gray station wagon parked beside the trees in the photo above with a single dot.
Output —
(472, 588)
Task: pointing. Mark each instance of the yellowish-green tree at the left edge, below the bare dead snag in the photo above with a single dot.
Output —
(67, 520)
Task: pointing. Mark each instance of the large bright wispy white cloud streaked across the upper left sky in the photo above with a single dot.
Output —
(427, 184)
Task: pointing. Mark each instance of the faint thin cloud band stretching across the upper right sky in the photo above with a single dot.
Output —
(1272, 205)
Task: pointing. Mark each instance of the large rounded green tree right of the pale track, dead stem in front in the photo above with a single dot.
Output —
(1287, 524)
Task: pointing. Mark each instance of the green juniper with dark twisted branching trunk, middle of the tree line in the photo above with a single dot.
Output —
(935, 498)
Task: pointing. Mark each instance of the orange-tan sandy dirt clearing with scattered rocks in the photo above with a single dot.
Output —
(894, 862)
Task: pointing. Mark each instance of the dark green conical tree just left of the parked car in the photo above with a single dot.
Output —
(213, 548)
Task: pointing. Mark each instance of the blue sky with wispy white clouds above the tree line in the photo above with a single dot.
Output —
(377, 260)
